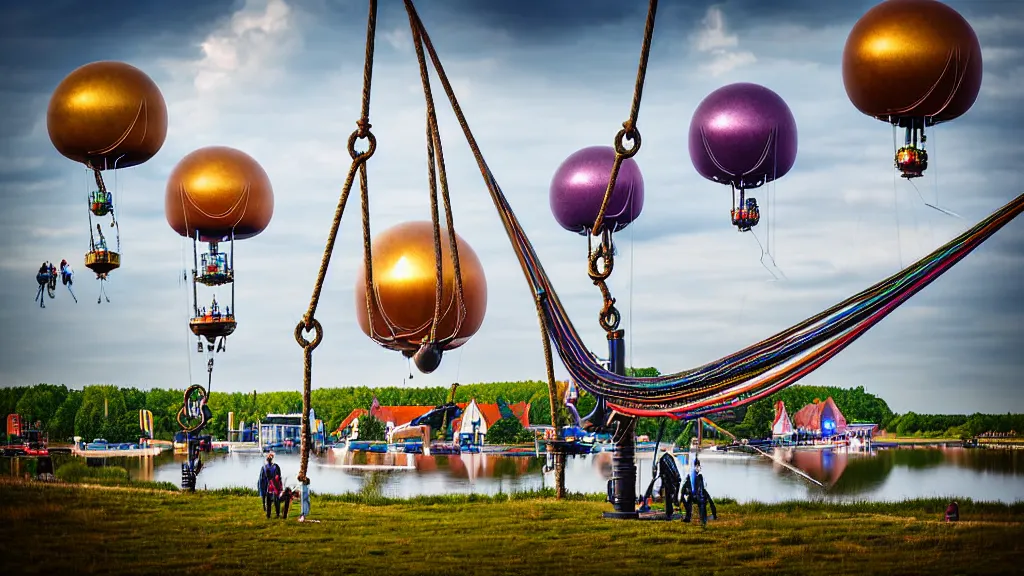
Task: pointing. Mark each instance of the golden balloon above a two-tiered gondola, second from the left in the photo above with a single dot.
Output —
(217, 190)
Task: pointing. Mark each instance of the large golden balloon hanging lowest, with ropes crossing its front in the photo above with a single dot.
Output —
(406, 279)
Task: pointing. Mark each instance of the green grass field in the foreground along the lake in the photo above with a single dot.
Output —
(68, 529)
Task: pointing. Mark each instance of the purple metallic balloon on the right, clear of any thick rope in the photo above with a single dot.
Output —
(744, 135)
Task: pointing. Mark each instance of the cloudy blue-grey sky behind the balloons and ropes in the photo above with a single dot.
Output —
(281, 79)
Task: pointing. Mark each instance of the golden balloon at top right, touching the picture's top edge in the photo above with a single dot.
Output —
(913, 59)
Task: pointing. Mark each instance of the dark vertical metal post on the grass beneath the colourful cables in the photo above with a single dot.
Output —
(624, 469)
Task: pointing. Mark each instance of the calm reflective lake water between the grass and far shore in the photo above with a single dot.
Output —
(886, 475)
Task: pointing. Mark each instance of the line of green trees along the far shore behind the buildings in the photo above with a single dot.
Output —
(112, 413)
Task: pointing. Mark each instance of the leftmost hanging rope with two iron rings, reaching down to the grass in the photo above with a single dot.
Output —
(309, 322)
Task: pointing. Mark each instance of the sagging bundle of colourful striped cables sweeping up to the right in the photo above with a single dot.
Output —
(752, 374)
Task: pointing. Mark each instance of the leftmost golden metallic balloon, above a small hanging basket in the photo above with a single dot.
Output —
(108, 115)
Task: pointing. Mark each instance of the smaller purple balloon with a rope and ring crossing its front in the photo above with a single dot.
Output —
(579, 187)
